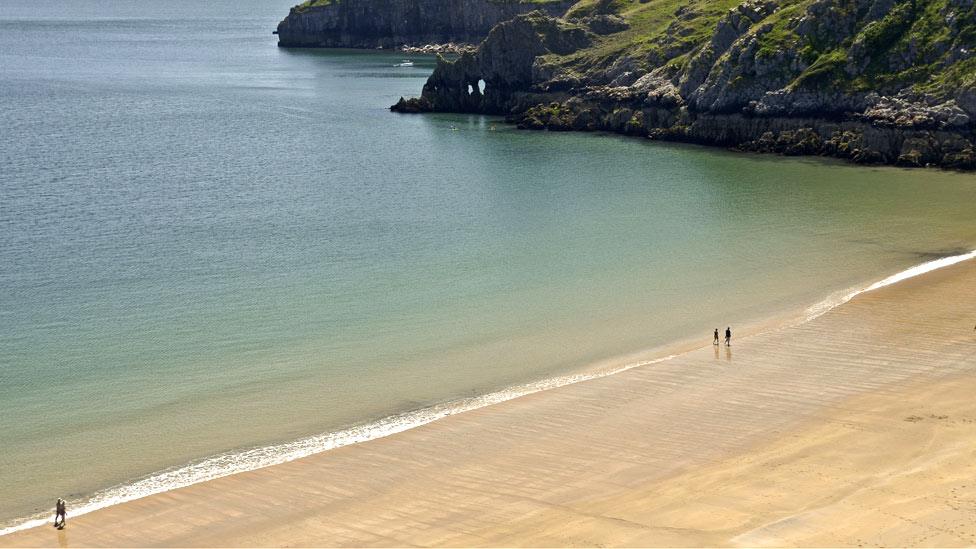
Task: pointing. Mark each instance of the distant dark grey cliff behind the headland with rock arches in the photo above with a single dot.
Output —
(391, 23)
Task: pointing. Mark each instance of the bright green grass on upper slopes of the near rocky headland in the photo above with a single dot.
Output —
(908, 46)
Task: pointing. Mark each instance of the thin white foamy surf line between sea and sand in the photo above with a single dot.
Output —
(532, 392)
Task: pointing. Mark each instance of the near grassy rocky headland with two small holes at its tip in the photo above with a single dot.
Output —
(873, 81)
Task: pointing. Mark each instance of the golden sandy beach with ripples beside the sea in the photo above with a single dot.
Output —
(857, 428)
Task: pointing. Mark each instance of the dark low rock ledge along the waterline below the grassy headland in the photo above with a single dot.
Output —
(860, 141)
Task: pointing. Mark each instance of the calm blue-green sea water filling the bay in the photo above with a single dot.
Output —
(209, 244)
